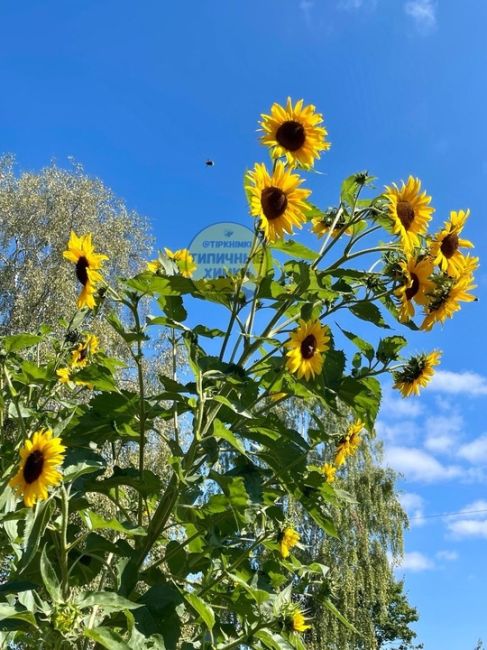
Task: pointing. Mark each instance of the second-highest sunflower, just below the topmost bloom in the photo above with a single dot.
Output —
(276, 199)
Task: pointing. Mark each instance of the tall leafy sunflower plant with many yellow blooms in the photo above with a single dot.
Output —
(142, 518)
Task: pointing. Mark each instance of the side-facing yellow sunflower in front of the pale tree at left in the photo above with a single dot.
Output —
(88, 264)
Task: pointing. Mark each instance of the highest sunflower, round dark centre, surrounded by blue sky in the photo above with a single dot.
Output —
(295, 132)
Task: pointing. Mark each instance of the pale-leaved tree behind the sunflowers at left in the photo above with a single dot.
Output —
(37, 212)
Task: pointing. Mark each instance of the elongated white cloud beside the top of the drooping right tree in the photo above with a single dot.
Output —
(417, 465)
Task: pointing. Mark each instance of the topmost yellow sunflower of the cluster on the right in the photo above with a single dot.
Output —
(409, 211)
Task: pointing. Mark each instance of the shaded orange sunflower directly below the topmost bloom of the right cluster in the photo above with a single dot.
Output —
(417, 285)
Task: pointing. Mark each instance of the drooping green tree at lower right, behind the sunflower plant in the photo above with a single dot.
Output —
(370, 533)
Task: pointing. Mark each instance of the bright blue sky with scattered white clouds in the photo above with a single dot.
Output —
(143, 93)
